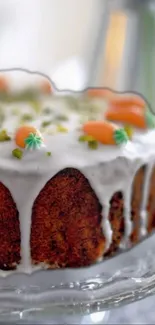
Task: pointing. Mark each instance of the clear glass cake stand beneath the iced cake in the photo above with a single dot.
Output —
(79, 296)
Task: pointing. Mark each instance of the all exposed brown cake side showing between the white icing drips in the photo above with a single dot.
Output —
(66, 222)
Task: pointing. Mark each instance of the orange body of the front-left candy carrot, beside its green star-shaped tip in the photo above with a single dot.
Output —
(22, 133)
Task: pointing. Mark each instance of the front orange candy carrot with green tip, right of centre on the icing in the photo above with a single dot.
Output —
(105, 132)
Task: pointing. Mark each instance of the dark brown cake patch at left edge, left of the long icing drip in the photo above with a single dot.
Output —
(9, 231)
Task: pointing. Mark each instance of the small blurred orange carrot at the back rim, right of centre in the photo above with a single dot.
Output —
(100, 93)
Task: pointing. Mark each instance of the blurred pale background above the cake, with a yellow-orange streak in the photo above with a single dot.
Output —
(108, 43)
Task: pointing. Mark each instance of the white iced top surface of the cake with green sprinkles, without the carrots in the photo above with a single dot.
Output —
(60, 117)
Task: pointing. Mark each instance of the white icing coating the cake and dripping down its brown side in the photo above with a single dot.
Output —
(108, 169)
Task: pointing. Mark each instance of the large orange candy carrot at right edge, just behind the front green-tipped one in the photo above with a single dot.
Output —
(132, 115)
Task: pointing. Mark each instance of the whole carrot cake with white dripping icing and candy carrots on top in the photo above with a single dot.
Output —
(77, 177)
